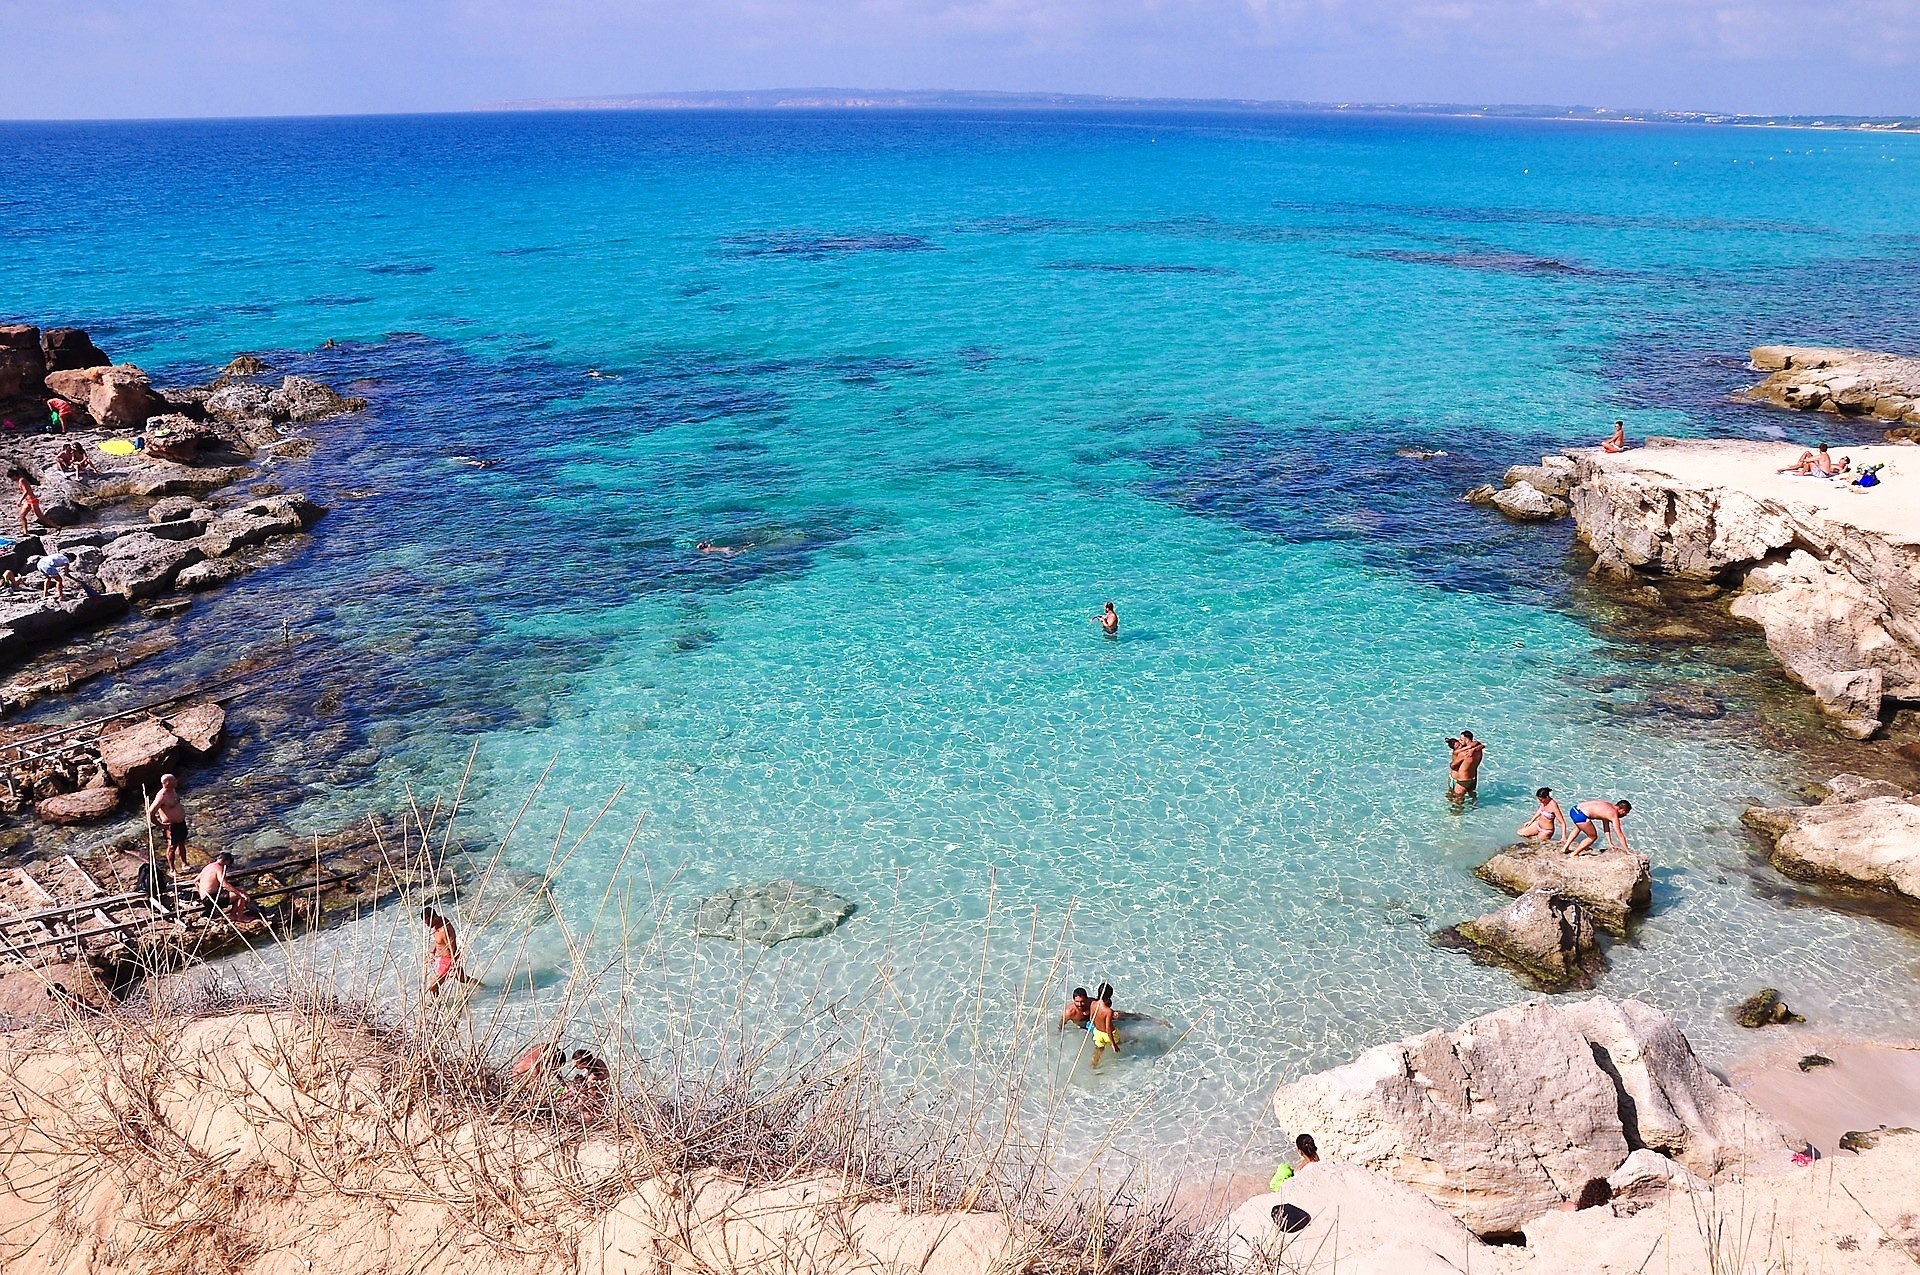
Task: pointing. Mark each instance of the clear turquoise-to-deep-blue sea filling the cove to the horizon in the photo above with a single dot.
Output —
(951, 383)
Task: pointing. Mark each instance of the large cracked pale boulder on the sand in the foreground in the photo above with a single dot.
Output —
(1514, 1113)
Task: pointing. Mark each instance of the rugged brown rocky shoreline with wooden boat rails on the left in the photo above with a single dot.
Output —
(170, 500)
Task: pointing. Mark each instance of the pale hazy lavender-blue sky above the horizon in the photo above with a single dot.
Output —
(145, 59)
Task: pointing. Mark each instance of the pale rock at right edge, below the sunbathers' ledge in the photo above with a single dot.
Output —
(1869, 840)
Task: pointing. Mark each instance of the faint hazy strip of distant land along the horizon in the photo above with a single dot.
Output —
(978, 101)
